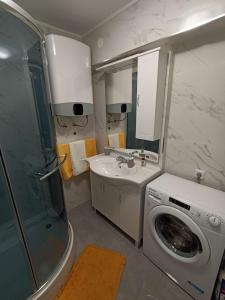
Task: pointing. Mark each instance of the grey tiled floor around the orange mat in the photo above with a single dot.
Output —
(141, 279)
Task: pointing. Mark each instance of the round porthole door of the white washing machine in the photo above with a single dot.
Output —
(178, 235)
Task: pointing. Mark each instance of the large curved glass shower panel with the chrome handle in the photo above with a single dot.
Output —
(28, 146)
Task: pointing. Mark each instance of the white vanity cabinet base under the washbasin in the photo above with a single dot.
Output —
(121, 203)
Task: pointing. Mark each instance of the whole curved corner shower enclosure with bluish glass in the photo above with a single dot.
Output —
(34, 232)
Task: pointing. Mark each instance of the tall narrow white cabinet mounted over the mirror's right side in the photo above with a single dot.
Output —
(151, 81)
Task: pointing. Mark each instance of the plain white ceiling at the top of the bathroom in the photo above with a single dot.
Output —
(77, 16)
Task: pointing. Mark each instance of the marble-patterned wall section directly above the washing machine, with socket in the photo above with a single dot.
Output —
(197, 114)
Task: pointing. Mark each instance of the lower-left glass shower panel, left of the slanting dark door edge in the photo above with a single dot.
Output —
(16, 281)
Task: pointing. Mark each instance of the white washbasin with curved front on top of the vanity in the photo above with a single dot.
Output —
(107, 166)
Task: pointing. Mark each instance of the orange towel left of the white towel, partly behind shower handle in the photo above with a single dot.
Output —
(66, 169)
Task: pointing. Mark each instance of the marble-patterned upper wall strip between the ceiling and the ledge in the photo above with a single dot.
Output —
(146, 21)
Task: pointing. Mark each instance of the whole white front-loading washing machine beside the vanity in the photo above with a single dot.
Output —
(184, 232)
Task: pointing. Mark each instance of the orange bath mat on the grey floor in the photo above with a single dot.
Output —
(95, 276)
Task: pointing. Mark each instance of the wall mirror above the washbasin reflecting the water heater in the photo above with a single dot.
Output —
(121, 106)
